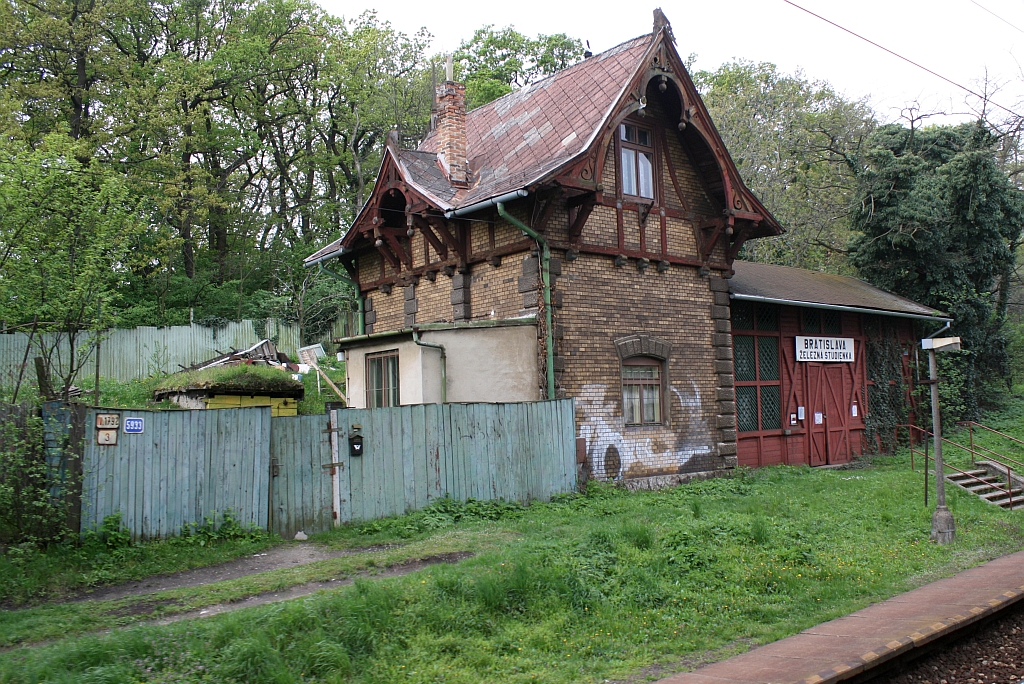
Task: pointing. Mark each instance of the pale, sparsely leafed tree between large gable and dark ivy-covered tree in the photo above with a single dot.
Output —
(790, 139)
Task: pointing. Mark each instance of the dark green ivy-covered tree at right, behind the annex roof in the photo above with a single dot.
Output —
(936, 220)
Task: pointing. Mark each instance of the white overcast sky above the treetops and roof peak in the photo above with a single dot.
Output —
(956, 38)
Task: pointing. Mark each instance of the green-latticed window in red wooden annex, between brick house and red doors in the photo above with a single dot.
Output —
(756, 360)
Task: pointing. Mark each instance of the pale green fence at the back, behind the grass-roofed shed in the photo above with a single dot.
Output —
(140, 353)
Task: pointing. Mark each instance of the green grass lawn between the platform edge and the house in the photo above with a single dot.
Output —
(584, 589)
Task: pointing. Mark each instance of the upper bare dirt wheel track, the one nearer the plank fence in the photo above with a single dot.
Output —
(290, 554)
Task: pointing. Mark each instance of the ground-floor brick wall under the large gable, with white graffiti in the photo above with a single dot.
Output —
(603, 304)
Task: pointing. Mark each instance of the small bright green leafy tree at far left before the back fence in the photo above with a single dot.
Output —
(67, 240)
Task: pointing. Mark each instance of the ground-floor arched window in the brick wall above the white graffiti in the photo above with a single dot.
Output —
(645, 362)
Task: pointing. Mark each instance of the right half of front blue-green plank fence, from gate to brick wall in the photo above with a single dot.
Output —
(414, 455)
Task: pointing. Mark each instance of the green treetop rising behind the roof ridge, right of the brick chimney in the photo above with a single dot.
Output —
(495, 63)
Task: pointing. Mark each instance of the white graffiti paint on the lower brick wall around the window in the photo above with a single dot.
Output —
(606, 433)
